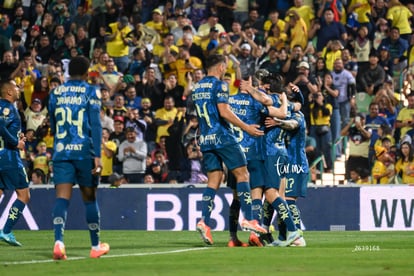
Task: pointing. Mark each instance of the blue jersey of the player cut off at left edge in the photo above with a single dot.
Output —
(10, 128)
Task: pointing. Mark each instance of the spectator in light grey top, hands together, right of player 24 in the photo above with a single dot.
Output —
(132, 153)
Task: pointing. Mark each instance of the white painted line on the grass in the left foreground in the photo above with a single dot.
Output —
(107, 256)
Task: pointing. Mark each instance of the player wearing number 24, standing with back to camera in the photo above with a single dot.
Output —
(74, 120)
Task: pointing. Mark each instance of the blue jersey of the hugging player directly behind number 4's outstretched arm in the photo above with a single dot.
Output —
(249, 111)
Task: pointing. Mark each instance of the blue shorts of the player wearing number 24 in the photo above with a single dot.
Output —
(75, 172)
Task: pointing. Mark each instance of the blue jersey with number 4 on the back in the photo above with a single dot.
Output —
(215, 131)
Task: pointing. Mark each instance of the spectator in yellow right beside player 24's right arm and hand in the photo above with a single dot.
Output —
(108, 151)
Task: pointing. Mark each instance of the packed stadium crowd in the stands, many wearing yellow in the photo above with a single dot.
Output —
(352, 60)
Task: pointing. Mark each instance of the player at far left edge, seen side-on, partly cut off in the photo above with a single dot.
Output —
(12, 173)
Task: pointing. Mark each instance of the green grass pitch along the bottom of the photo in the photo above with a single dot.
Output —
(183, 253)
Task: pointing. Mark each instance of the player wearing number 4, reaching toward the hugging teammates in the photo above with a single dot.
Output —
(218, 144)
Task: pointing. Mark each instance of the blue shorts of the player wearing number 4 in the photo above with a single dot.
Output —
(232, 156)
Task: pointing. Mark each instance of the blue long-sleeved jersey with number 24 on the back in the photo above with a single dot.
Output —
(74, 109)
